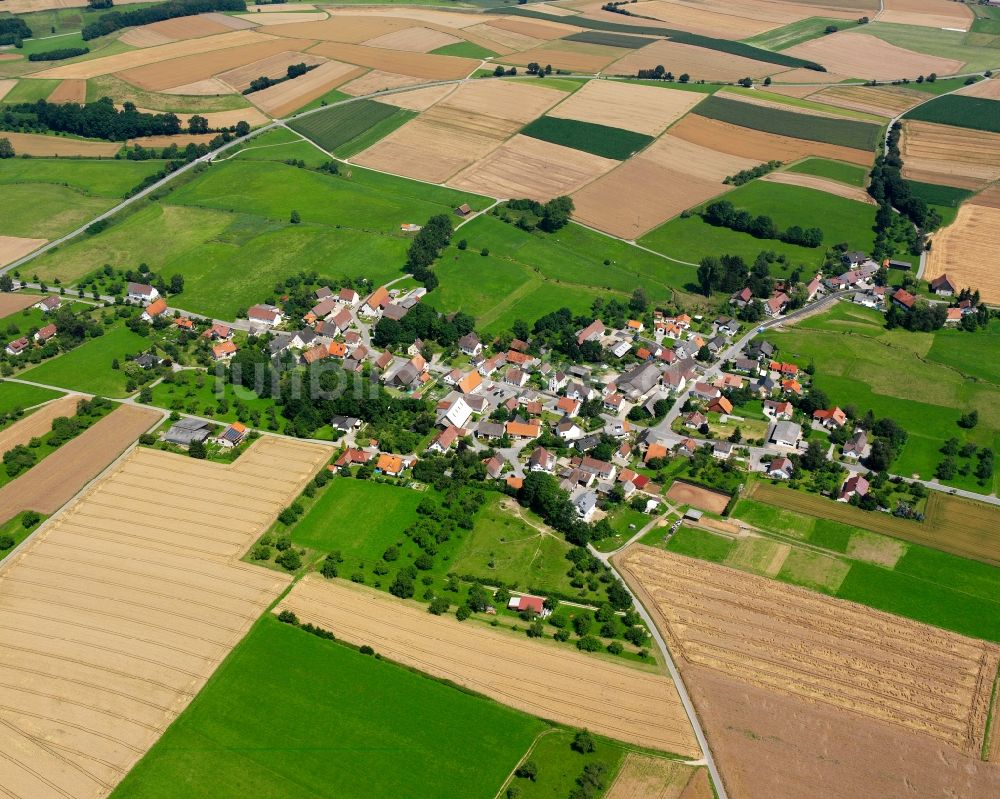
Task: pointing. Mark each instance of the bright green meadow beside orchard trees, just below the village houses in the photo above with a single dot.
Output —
(361, 518)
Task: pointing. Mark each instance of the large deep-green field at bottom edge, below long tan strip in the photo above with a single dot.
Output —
(290, 716)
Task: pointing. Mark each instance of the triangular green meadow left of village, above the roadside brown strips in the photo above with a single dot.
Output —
(88, 367)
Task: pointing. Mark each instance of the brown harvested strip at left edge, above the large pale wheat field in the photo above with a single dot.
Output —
(48, 487)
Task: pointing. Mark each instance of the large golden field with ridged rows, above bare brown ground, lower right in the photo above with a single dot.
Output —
(825, 650)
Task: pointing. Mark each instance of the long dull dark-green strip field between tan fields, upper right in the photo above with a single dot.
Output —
(845, 132)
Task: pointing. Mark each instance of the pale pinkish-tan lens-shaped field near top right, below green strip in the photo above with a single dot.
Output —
(868, 57)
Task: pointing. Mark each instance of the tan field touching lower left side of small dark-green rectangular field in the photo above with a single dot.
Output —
(532, 168)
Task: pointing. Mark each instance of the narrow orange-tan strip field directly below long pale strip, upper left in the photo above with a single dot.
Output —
(179, 72)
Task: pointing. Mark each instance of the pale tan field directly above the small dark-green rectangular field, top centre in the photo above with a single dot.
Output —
(643, 109)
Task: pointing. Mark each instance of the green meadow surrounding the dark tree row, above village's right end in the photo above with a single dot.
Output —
(840, 219)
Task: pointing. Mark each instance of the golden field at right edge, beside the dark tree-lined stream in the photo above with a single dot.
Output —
(968, 250)
